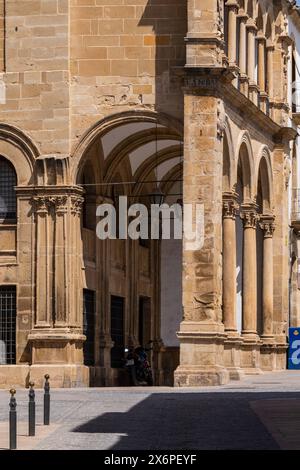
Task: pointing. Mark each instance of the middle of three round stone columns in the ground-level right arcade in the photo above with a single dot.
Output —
(249, 217)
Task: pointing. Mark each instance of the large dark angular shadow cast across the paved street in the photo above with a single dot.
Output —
(189, 421)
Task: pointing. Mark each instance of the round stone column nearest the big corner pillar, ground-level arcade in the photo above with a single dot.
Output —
(229, 262)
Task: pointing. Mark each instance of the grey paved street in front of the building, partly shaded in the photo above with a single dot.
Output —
(260, 412)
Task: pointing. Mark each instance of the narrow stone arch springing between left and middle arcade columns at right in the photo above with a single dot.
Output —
(244, 158)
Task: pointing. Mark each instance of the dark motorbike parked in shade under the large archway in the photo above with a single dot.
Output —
(138, 366)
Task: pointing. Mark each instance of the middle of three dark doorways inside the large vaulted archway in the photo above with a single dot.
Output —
(117, 331)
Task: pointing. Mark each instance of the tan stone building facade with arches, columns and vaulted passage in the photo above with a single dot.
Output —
(102, 98)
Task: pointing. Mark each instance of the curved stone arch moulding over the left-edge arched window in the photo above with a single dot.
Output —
(17, 148)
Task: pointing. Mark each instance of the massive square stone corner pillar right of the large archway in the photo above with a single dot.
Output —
(201, 332)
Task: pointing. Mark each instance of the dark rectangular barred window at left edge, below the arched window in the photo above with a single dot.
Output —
(8, 315)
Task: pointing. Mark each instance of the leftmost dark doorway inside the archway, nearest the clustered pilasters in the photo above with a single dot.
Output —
(89, 326)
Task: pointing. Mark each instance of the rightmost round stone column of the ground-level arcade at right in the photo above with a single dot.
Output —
(268, 227)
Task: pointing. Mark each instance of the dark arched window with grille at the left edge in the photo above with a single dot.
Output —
(8, 200)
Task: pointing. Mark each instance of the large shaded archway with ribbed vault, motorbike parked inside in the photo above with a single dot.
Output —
(129, 282)
